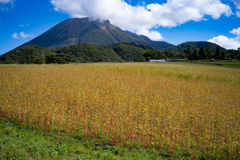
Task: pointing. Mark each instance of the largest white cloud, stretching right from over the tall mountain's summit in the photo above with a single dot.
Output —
(143, 18)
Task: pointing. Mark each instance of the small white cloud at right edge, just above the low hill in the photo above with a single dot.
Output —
(228, 43)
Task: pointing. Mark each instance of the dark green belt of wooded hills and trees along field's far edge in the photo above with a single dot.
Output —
(119, 52)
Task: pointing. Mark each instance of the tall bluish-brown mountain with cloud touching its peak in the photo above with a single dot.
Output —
(82, 30)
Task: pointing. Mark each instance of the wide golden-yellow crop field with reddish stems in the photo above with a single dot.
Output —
(180, 110)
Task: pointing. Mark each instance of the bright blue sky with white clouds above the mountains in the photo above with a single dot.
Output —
(173, 21)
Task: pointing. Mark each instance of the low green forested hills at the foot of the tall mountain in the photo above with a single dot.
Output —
(82, 53)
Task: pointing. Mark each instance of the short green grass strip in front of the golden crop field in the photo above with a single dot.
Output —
(16, 143)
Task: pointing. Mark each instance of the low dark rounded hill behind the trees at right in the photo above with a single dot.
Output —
(180, 48)
